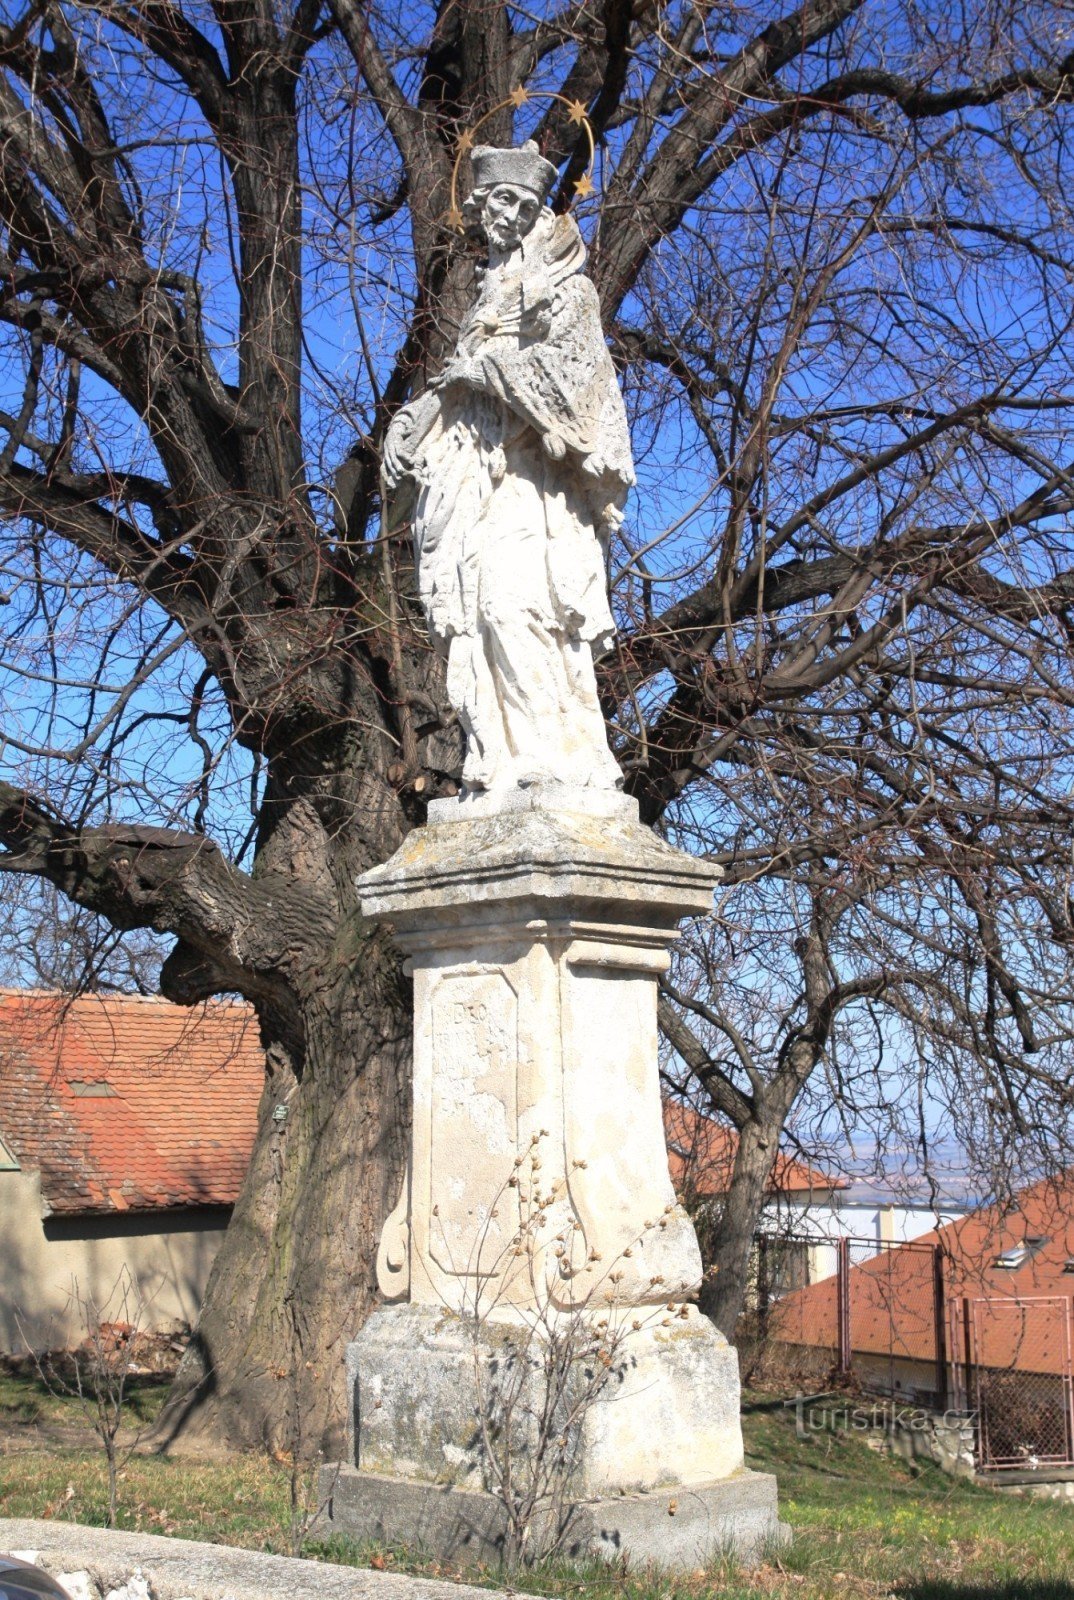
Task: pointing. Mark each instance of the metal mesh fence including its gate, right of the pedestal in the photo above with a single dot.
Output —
(880, 1318)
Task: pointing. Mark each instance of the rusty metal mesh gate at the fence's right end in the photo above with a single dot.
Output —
(1020, 1380)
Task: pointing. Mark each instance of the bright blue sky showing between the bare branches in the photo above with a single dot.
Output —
(915, 327)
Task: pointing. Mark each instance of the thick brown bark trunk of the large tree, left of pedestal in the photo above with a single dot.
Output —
(295, 1274)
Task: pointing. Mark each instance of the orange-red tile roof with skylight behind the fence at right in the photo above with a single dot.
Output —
(891, 1295)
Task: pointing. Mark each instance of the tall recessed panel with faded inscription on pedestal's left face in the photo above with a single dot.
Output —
(475, 1126)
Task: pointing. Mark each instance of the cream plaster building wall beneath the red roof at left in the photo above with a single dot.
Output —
(44, 1265)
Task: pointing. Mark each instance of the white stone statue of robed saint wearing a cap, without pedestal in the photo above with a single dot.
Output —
(523, 463)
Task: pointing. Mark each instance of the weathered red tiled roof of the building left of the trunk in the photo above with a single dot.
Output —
(129, 1105)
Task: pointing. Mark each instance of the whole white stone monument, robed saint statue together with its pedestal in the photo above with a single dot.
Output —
(537, 1236)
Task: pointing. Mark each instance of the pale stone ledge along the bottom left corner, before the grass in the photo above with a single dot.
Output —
(188, 1570)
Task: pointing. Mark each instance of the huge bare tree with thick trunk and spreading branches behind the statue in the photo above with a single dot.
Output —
(833, 252)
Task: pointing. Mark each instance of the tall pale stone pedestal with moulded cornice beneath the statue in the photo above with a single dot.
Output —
(539, 1271)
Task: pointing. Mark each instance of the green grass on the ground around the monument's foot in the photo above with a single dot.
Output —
(865, 1524)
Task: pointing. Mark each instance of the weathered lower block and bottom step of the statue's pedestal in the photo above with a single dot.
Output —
(644, 1463)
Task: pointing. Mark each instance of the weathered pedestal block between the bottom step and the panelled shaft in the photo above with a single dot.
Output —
(665, 1414)
